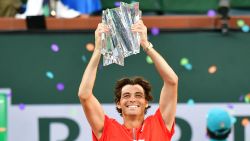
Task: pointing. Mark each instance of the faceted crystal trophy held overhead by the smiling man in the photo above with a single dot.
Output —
(120, 42)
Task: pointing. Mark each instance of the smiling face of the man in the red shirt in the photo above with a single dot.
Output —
(132, 101)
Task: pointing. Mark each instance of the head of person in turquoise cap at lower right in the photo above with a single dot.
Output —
(219, 124)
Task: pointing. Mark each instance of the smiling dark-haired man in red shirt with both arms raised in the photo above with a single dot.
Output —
(132, 99)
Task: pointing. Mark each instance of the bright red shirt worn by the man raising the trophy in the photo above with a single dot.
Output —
(153, 129)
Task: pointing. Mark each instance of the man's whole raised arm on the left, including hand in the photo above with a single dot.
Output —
(91, 106)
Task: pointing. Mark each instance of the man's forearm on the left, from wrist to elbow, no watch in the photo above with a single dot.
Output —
(89, 76)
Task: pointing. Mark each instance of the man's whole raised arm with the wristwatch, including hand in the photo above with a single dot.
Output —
(168, 96)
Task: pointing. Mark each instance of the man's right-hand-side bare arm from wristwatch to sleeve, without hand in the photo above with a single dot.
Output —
(168, 96)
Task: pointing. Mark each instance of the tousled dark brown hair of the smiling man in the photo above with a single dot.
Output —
(133, 81)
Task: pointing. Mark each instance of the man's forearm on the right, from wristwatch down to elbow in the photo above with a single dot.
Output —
(165, 71)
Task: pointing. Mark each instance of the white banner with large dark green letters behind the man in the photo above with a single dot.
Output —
(67, 122)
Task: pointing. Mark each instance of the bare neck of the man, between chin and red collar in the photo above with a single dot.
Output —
(133, 122)
